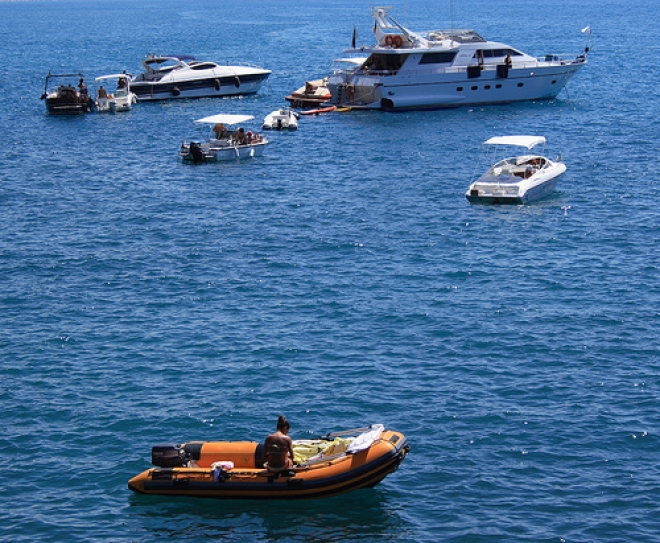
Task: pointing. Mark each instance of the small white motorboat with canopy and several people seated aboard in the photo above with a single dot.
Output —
(223, 143)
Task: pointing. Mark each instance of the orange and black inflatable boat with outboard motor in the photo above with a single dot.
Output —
(330, 465)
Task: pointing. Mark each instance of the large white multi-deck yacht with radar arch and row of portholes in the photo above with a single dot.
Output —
(444, 68)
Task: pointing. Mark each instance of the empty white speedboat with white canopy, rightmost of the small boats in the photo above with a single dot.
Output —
(516, 179)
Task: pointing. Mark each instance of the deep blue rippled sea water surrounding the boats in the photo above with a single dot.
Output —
(341, 279)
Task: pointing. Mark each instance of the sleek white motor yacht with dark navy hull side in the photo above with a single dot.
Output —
(167, 77)
